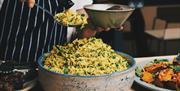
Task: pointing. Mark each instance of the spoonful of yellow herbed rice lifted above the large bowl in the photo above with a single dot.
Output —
(71, 18)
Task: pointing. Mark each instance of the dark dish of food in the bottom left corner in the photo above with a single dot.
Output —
(15, 76)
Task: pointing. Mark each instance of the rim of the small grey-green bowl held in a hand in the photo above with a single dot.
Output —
(112, 11)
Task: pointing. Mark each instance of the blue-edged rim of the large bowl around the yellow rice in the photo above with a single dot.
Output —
(131, 68)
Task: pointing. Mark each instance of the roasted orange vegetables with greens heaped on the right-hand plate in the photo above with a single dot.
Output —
(162, 73)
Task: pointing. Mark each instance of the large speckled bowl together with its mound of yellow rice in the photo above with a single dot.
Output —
(86, 65)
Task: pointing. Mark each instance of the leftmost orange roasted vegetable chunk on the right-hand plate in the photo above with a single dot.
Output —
(147, 77)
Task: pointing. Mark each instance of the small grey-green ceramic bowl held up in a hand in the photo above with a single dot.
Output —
(102, 17)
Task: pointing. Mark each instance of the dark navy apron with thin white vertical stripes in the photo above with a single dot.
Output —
(25, 33)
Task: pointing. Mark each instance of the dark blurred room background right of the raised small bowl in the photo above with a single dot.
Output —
(152, 30)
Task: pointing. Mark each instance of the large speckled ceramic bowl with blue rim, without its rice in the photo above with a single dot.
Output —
(117, 81)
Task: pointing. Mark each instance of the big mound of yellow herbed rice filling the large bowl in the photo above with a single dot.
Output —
(85, 57)
